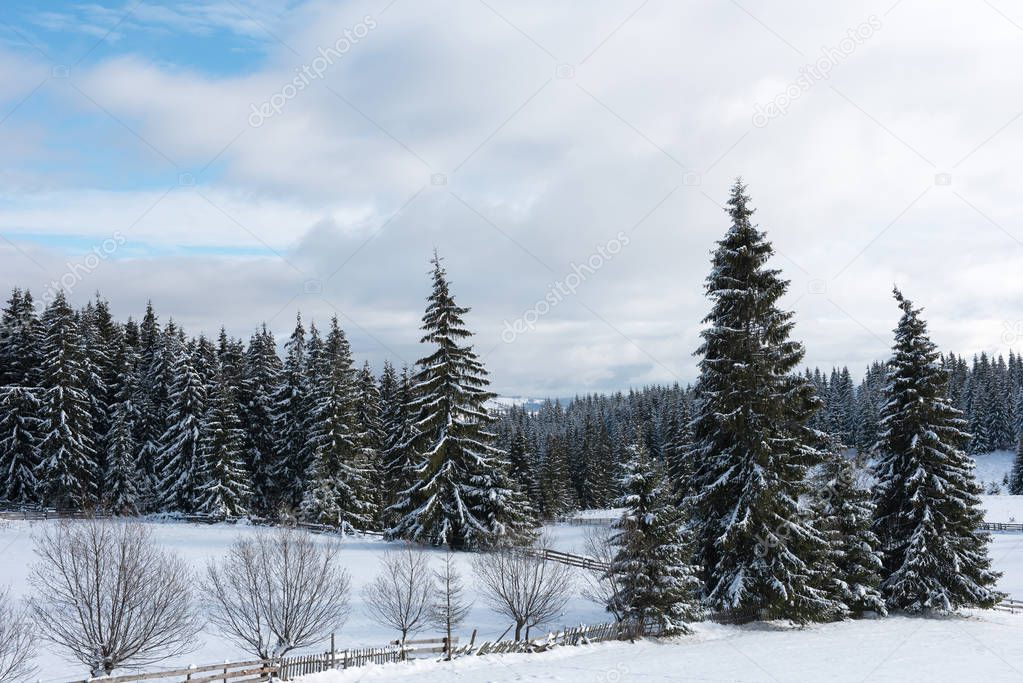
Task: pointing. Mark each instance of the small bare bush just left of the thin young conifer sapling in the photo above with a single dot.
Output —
(399, 597)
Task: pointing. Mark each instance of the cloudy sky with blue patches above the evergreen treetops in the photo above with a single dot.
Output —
(237, 162)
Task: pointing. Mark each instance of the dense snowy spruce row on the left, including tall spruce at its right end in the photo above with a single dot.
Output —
(140, 418)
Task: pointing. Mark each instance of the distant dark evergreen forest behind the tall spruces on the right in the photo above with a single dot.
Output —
(589, 438)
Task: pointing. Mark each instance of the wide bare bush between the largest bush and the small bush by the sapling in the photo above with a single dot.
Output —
(277, 591)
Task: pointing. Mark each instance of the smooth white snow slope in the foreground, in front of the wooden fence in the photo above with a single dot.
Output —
(977, 648)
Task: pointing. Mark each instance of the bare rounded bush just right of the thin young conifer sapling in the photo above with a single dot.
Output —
(519, 584)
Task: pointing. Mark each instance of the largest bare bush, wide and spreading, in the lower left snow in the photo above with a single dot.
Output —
(108, 596)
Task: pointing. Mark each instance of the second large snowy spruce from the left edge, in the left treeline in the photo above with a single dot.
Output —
(67, 450)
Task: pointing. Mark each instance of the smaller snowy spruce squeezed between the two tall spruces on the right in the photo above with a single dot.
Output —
(847, 516)
